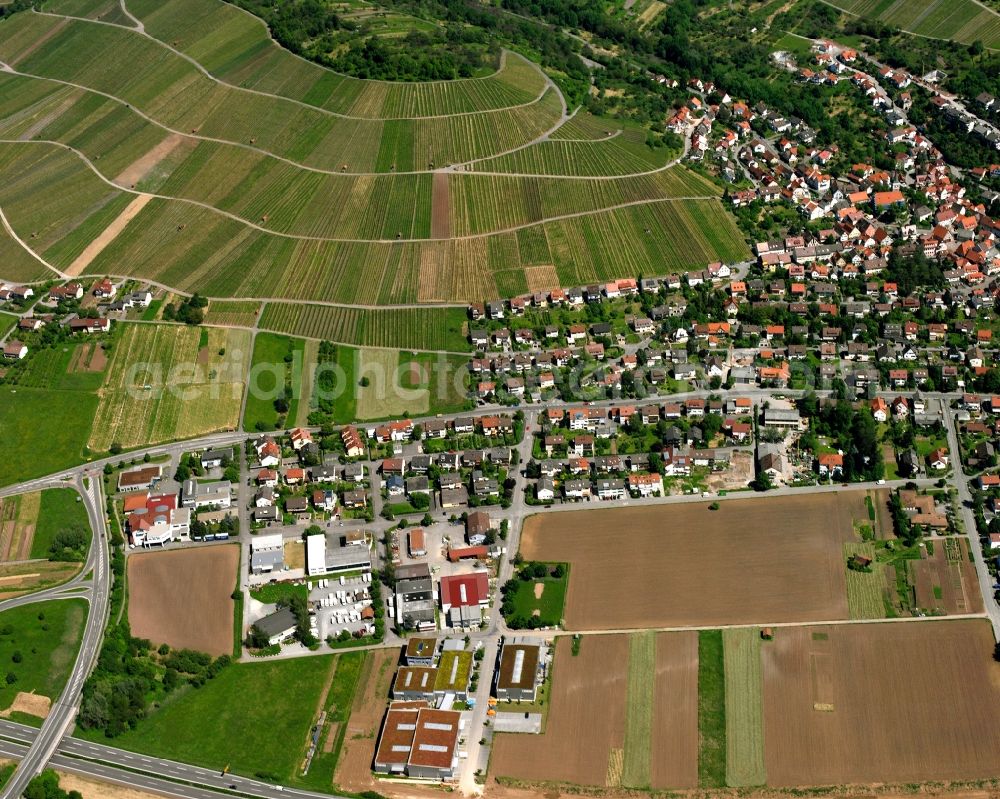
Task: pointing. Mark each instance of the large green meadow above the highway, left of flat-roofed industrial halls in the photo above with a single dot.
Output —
(254, 717)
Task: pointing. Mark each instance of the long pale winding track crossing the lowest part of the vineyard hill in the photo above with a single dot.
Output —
(300, 237)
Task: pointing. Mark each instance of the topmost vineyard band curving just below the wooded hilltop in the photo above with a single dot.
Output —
(229, 39)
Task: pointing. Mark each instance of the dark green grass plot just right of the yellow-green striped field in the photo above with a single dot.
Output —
(269, 367)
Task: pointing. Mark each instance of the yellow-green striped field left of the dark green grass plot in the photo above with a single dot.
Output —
(162, 384)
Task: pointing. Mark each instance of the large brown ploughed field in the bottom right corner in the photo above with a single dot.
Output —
(905, 702)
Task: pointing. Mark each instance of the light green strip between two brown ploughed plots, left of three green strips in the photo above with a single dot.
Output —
(639, 710)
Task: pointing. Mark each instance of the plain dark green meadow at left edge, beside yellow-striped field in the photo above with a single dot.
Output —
(44, 431)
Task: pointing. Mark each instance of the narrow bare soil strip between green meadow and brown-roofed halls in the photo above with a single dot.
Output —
(354, 766)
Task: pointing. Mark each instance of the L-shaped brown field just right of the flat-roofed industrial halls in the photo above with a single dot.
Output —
(586, 720)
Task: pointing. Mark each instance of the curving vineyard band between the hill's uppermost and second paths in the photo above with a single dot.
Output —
(188, 99)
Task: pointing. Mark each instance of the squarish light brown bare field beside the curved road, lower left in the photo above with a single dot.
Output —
(182, 597)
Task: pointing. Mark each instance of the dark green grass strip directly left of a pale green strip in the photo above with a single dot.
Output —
(711, 710)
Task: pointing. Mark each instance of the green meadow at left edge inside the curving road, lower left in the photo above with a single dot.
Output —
(38, 645)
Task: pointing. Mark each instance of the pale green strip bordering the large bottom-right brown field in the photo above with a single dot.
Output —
(744, 708)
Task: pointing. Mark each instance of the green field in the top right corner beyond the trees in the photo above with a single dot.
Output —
(959, 20)
